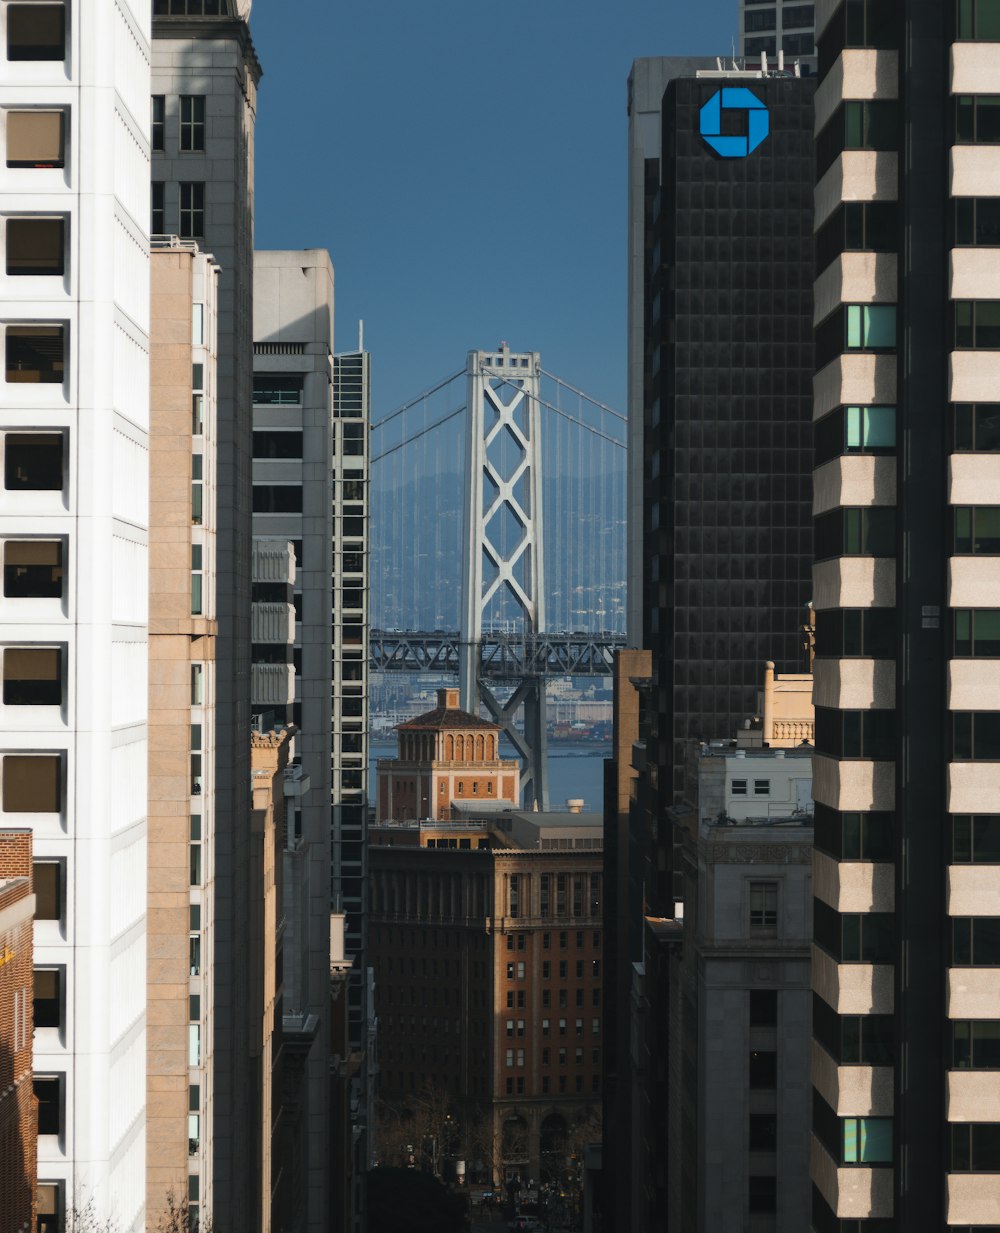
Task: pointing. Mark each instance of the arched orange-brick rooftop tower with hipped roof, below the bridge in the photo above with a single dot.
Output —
(446, 755)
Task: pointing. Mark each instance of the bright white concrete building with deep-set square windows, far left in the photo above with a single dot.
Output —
(75, 310)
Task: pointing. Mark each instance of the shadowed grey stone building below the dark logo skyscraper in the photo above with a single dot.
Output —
(738, 1004)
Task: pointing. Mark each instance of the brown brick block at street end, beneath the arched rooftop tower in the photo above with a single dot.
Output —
(488, 951)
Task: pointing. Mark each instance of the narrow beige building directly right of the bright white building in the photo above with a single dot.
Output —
(182, 732)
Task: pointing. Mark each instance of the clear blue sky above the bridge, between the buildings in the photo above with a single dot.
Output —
(465, 165)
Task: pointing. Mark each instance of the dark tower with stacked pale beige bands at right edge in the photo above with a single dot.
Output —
(906, 1100)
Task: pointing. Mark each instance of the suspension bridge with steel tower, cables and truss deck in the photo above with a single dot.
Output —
(499, 541)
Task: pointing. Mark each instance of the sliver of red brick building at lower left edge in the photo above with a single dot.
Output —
(19, 1109)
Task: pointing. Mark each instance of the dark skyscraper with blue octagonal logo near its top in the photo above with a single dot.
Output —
(729, 357)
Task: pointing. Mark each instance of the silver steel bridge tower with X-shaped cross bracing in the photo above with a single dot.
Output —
(504, 575)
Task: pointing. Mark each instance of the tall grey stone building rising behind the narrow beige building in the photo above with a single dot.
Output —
(203, 112)
